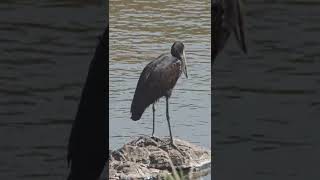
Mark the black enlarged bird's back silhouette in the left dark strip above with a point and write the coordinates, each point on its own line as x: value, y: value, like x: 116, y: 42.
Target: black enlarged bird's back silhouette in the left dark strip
x: 87, y: 147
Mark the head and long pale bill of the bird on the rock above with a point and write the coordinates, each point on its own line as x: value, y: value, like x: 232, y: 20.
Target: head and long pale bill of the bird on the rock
x: 177, y: 50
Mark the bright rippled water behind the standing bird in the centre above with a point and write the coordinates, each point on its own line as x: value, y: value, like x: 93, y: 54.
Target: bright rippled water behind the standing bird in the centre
x: 141, y: 31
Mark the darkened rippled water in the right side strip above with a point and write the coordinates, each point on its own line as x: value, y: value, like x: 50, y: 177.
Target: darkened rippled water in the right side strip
x: 266, y: 104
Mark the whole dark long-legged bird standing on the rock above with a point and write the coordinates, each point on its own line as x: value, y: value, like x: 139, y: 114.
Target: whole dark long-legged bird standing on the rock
x: 157, y: 80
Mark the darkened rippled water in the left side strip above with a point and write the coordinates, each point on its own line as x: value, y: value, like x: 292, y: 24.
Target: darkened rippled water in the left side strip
x: 46, y: 47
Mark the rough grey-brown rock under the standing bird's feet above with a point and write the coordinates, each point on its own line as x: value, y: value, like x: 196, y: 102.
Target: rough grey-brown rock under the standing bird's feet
x: 151, y: 158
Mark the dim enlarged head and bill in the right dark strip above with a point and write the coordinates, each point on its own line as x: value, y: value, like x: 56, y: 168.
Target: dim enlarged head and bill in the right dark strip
x: 227, y: 18
